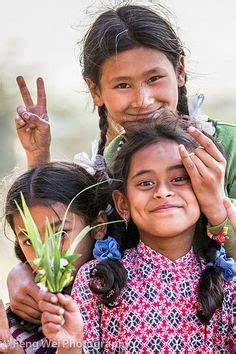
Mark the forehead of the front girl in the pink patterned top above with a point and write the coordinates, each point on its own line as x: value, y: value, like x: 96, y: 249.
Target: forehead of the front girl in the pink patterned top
x: 157, y: 156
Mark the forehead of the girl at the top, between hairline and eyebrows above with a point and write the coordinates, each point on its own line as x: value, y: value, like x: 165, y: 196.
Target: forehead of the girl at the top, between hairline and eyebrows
x: 124, y: 62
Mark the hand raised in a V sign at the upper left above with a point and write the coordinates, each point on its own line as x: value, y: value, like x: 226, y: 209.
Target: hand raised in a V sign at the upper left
x: 32, y: 124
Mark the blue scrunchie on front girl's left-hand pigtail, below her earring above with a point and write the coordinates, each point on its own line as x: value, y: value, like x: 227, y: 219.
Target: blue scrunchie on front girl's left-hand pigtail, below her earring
x: 107, y: 249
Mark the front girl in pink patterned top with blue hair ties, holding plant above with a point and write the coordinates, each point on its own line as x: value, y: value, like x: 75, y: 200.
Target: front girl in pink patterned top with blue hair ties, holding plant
x: 157, y: 290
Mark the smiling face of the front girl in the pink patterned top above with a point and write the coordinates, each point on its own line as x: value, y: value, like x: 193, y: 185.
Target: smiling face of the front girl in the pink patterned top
x: 159, y: 195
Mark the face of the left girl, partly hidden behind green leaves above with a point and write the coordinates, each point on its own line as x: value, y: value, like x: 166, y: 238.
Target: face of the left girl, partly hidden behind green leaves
x: 73, y: 225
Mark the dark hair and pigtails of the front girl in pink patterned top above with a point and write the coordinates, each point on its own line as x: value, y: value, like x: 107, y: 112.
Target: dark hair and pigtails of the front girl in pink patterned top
x: 210, y: 287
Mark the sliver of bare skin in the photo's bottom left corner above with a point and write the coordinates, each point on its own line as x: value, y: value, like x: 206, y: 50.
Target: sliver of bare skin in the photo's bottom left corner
x: 7, y: 343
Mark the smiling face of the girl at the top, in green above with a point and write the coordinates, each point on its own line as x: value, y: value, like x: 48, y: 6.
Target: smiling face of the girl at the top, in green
x: 136, y: 83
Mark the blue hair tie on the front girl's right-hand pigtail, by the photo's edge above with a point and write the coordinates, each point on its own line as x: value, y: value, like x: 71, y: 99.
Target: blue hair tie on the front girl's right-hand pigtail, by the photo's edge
x: 224, y: 263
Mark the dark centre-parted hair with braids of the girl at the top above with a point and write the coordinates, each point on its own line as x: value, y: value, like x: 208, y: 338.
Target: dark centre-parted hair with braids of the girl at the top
x: 121, y: 29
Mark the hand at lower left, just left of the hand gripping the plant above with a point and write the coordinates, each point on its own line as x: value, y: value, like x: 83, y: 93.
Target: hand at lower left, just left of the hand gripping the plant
x: 24, y: 294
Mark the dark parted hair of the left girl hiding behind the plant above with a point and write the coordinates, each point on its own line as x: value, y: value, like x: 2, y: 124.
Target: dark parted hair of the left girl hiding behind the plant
x: 55, y: 182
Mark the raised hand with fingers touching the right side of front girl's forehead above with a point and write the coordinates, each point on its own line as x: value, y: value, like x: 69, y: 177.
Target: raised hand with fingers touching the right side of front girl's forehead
x: 206, y: 168
